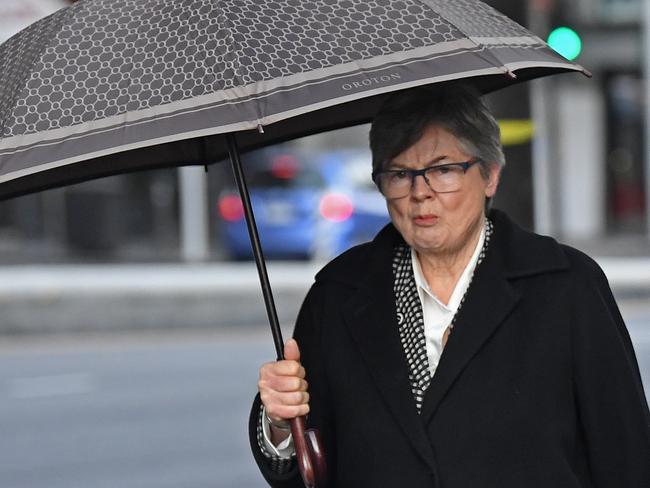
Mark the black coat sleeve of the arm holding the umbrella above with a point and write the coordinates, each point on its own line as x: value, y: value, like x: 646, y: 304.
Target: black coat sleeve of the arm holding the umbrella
x: 308, y: 334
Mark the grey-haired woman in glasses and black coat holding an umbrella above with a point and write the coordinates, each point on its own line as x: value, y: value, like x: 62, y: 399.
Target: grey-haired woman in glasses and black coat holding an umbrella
x: 456, y: 350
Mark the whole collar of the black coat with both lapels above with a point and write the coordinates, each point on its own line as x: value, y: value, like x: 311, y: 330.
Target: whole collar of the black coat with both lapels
x: 370, y: 315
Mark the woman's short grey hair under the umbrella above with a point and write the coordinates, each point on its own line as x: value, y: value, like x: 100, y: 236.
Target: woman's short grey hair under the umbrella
x: 403, y: 117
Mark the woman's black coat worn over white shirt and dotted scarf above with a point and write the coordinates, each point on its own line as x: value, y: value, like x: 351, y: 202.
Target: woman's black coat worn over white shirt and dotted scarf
x: 538, y: 386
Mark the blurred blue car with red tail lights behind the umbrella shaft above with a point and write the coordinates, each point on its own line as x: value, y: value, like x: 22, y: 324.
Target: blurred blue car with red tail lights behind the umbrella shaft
x: 308, y: 205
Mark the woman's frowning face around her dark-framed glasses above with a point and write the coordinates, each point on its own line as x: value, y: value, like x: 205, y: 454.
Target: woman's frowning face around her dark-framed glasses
x: 440, y: 223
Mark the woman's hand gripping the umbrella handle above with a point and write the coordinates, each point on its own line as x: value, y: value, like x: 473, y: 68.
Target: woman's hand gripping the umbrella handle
x: 283, y: 390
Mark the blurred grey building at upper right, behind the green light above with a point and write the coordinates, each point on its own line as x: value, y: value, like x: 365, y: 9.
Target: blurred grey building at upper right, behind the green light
x: 596, y: 177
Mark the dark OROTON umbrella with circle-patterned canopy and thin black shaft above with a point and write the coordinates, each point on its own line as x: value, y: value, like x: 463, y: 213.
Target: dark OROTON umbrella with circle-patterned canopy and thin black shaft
x: 110, y: 86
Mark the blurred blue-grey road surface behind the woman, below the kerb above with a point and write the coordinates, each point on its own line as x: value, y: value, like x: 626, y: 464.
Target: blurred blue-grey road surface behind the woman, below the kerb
x: 146, y: 410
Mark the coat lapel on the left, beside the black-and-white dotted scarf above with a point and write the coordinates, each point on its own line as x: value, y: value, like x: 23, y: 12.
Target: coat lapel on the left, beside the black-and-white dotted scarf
x: 371, y: 320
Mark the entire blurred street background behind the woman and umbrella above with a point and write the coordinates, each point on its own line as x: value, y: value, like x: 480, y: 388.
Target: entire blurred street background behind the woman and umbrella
x: 132, y: 324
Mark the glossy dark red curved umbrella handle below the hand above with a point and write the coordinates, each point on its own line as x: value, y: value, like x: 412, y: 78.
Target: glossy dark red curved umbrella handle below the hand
x: 309, y: 454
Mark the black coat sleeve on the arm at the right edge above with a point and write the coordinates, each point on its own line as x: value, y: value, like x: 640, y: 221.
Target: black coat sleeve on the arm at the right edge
x: 612, y: 407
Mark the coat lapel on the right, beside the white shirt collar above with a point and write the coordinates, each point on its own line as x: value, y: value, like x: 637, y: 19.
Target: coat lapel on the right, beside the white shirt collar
x: 489, y: 300
